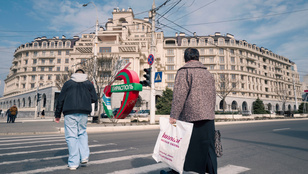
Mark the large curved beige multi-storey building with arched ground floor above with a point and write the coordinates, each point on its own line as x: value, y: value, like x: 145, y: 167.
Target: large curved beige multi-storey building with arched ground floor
x: 242, y: 70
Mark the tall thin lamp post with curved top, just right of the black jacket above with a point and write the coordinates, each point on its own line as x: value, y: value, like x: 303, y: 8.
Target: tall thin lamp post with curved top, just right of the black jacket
x: 95, y: 50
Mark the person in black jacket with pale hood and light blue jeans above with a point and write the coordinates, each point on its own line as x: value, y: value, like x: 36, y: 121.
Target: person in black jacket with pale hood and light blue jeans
x: 75, y: 101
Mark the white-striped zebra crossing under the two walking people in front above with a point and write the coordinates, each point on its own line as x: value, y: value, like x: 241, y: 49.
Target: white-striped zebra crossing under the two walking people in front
x: 48, y: 154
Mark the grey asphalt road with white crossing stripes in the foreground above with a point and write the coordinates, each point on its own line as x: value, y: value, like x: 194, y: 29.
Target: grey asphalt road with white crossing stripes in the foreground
x: 265, y: 147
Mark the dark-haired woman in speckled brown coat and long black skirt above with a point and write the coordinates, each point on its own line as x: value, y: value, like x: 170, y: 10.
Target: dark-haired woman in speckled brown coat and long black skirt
x: 194, y: 98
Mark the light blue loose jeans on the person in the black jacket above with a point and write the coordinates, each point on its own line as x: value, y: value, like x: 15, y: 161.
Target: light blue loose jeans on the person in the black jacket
x: 76, y: 137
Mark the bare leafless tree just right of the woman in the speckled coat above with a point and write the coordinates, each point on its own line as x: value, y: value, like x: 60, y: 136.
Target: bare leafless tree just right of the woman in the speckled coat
x: 225, y: 85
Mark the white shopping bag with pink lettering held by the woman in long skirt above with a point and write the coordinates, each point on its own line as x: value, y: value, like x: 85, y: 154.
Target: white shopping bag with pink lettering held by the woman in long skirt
x: 172, y: 143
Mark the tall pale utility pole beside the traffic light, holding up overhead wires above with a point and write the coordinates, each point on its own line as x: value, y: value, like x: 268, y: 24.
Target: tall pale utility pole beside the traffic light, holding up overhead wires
x: 152, y: 108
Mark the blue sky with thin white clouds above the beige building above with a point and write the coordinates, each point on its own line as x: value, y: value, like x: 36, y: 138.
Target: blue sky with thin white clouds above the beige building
x: 278, y: 25
